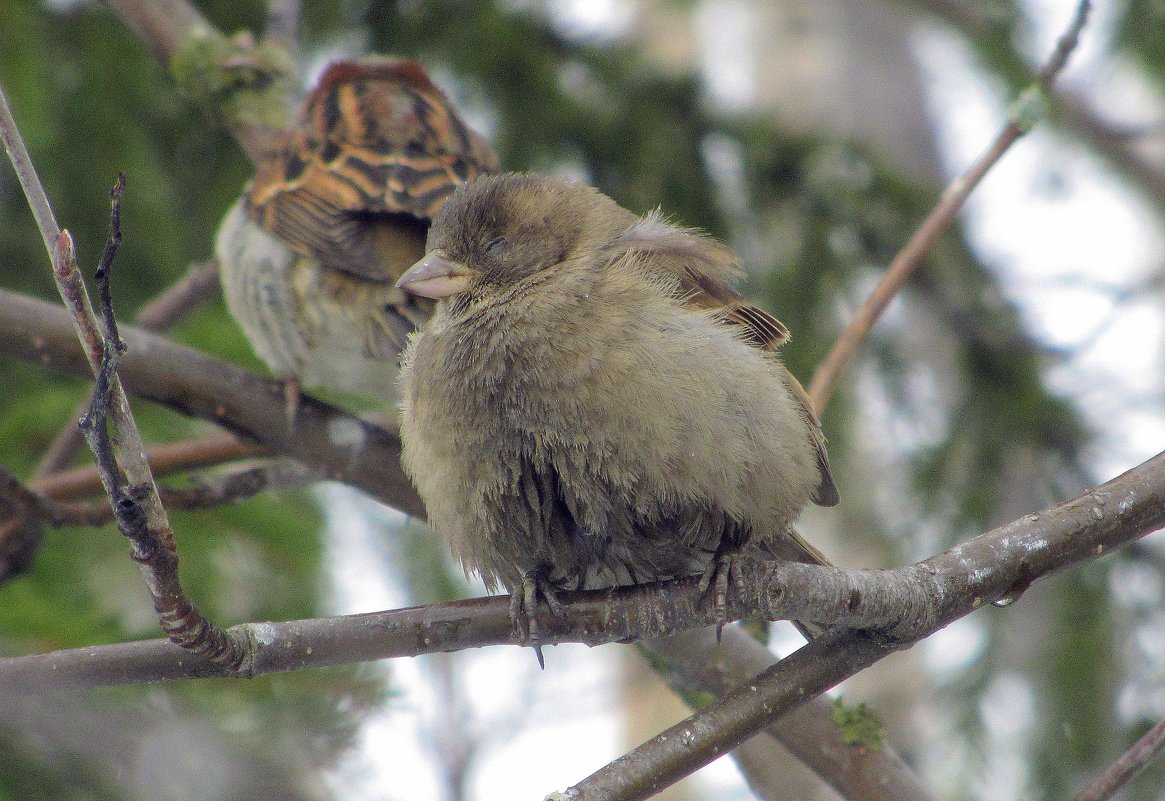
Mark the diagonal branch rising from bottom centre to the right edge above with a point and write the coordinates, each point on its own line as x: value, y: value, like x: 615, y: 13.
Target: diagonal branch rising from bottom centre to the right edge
x: 995, y: 566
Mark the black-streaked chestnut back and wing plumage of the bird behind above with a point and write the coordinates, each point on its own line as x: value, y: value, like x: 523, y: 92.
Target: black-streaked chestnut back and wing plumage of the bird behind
x: 377, y: 139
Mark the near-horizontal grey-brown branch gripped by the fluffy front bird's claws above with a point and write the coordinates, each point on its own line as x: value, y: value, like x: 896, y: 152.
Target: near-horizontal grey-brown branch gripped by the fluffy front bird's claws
x: 995, y: 566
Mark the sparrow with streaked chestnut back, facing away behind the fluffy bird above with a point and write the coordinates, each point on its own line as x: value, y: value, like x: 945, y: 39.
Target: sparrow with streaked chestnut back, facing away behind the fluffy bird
x: 310, y: 256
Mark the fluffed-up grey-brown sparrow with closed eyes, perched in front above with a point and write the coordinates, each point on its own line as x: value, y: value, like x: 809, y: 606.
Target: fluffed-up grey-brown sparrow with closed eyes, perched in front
x: 592, y: 405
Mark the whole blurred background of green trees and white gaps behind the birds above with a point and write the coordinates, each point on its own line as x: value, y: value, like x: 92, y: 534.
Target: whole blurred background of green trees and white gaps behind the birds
x: 1022, y: 365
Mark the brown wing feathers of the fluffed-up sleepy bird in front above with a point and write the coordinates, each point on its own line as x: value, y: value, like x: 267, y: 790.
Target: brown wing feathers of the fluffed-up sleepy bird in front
x: 703, y: 267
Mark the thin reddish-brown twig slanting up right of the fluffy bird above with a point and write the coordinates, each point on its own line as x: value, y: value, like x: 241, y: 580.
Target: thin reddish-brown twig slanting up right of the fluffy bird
x: 920, y: 246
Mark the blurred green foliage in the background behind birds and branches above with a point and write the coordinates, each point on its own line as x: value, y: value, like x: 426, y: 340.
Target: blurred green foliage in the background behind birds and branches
x: 824, y: 215
